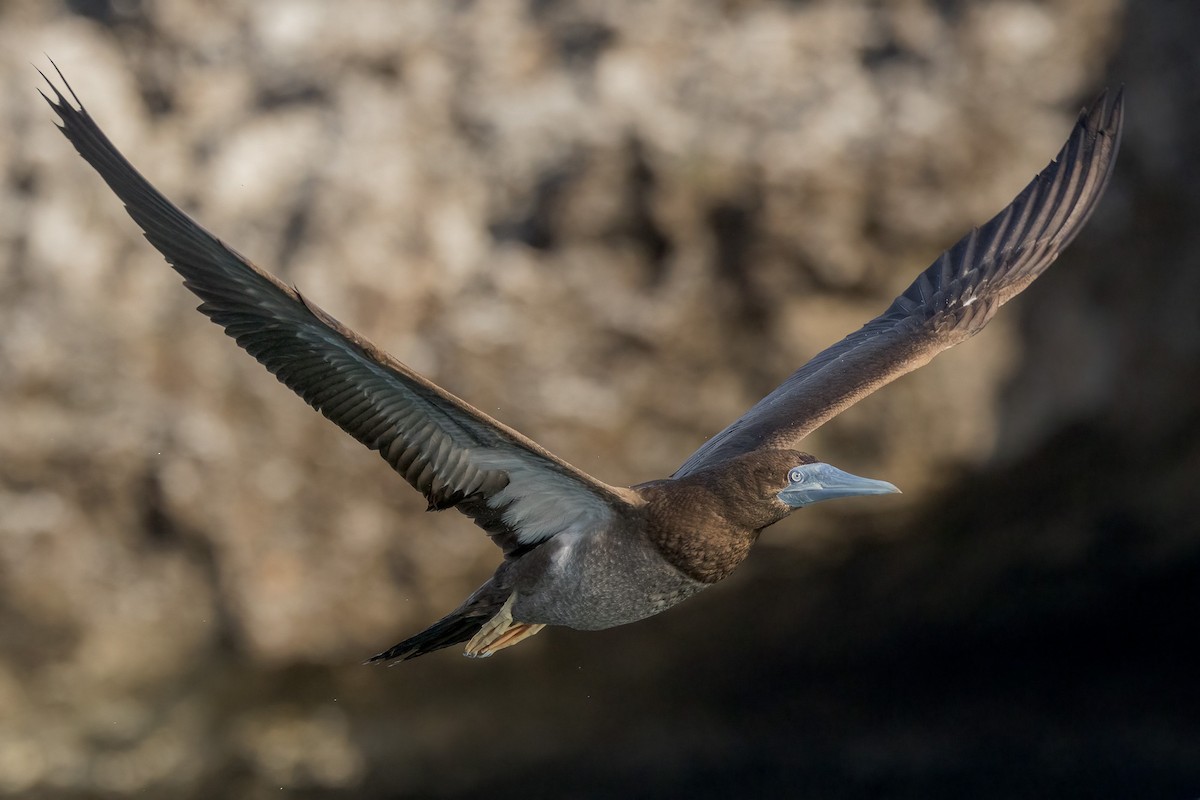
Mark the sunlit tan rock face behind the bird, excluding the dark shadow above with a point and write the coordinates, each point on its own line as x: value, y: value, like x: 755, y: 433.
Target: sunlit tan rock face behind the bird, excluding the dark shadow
x: 611, y: 226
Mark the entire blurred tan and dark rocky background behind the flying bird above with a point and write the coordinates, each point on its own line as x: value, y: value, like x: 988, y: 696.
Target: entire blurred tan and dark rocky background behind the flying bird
x: 613, y: 226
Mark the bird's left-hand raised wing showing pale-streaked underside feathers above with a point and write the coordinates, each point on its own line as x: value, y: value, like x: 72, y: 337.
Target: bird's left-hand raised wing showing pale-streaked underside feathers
x: 452, y: 453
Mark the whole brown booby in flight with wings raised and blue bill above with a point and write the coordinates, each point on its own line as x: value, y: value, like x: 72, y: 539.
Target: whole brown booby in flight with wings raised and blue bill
x: 579, y: 552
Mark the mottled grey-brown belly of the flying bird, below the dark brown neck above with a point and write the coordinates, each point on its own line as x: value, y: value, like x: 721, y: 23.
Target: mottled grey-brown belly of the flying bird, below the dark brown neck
x: 589, y: 584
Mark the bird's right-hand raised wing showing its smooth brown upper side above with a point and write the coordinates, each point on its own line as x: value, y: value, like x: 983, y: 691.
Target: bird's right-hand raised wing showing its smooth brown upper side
x: 947, y: 304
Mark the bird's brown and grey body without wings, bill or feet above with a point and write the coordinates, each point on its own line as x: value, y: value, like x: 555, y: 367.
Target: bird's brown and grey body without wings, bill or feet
x: 675, y: 539
